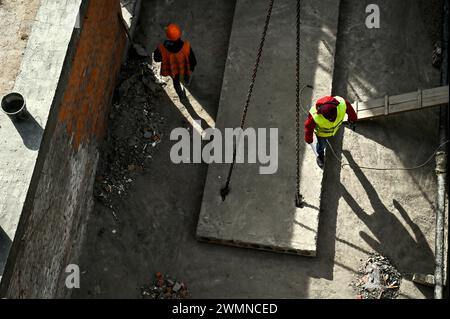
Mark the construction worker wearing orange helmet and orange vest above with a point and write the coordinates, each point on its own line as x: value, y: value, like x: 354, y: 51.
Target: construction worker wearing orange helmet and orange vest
x: 177, y: 58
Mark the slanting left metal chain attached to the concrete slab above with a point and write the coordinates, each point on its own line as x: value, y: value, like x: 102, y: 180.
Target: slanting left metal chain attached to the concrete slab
x: 224, y: 191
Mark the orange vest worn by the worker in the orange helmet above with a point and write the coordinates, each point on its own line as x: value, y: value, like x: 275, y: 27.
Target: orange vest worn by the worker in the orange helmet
x: 173, y: 64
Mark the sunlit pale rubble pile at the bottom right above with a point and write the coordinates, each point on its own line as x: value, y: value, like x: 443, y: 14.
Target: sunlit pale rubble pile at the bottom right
x: 377, y: 279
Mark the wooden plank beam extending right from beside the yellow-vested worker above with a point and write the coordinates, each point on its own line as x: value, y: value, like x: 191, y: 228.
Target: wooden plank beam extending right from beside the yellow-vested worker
x: 403, y: 102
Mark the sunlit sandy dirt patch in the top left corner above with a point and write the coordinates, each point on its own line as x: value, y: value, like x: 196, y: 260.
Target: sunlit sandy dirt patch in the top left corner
x: 16, y: 20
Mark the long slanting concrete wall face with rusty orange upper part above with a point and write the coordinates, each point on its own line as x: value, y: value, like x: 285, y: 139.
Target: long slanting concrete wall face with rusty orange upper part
x: 60, y: 196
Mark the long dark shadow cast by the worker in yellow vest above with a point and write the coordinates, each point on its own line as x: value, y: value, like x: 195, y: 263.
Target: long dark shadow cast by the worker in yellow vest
x: 411, y: 254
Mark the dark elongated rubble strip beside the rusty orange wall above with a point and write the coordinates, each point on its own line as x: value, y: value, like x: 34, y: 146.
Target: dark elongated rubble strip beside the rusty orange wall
x: 134, y: 130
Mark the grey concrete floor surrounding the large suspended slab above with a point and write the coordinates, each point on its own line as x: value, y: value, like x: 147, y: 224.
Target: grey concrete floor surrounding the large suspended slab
x: 362, y: 211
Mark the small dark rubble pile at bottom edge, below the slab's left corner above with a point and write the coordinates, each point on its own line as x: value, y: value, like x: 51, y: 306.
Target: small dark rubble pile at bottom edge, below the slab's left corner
x: 164, y: 287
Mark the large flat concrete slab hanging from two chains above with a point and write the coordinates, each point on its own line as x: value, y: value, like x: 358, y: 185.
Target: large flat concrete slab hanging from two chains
x: 260, y: 210
